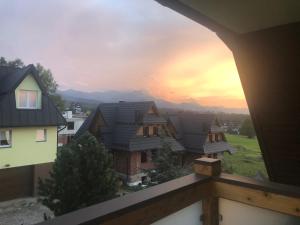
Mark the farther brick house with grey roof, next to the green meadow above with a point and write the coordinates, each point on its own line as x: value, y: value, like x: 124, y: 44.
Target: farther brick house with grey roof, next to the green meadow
x: 200, y: 134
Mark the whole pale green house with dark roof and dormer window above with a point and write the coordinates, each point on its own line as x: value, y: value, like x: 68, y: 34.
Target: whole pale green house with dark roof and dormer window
x: 28, y: 131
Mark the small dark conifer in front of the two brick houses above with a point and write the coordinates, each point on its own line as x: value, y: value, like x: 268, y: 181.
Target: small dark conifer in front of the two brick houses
x: 168, y: 165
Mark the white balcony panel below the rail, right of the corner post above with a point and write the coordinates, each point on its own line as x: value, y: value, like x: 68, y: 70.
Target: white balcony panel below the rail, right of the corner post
x: 235, y: 213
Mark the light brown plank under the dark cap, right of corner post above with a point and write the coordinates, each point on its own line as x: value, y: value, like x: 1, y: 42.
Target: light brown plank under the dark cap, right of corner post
x: 258, y: 198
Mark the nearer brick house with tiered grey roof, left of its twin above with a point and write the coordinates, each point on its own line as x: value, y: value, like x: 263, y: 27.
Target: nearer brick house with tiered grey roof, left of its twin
x: 133, y: 131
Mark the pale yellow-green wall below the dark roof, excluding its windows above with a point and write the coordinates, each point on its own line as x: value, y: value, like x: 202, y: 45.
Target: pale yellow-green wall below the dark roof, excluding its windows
x: 26, y: 151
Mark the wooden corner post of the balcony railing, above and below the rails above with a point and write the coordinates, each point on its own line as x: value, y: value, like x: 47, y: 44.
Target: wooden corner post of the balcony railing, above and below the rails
x: 210, y: 204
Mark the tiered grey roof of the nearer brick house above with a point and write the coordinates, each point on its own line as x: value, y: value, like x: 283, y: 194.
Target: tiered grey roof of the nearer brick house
x: 123, y: 120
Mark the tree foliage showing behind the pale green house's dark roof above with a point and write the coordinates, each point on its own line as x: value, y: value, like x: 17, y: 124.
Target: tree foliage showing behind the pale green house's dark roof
x: 46, y: 78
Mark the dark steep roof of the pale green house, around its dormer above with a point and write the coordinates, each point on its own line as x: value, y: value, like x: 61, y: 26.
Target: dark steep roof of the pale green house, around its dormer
x: 10, y: 116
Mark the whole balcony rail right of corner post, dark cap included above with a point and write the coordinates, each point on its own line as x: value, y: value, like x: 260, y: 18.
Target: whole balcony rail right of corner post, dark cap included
x: 272, y: 196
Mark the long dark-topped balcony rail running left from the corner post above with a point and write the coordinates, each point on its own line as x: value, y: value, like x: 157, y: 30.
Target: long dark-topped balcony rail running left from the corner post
x: 143, y: 207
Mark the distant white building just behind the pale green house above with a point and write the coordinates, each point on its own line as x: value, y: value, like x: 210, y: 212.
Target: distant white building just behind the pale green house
x: 74, y: 121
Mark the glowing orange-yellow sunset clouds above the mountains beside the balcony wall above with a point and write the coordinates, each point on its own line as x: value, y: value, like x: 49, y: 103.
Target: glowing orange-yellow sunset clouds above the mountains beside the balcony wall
x: 207, y: 76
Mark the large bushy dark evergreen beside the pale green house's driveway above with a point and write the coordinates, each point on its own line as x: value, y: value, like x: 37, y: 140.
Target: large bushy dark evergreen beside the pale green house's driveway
x: 82, y: 175
